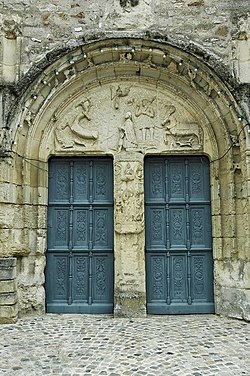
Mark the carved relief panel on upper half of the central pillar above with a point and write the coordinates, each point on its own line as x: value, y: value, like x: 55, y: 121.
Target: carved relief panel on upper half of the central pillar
x: 129, y: 197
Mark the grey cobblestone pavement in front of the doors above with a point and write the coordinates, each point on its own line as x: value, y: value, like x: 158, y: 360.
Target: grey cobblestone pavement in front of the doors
x: 101, y: 345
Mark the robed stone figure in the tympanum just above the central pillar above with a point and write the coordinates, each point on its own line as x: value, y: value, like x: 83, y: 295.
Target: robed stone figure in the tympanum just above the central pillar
x: 127, y: 139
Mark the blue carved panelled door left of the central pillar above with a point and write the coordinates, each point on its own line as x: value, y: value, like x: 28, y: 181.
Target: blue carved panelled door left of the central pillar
x: 79, y: 271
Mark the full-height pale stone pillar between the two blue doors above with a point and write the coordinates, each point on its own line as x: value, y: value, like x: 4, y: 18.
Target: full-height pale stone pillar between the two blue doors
x: 130, y: 289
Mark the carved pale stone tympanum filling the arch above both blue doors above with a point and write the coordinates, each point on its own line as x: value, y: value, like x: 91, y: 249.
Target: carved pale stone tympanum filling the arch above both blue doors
x: 126, y: 118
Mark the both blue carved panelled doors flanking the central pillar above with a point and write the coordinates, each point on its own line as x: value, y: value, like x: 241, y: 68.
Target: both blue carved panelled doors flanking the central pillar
x: 179, y: 262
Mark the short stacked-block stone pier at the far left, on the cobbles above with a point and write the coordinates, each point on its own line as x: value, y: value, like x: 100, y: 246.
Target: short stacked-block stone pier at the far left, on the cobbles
x: 8, y: 291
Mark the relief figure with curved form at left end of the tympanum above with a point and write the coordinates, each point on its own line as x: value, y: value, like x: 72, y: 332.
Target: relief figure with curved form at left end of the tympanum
x: 71, y: 133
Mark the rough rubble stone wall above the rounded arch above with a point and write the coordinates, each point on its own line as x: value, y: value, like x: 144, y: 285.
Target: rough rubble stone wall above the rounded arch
x: 32, y: 30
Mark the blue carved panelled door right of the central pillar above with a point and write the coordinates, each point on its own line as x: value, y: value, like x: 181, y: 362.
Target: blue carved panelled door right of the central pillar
x: 178, y: 236
